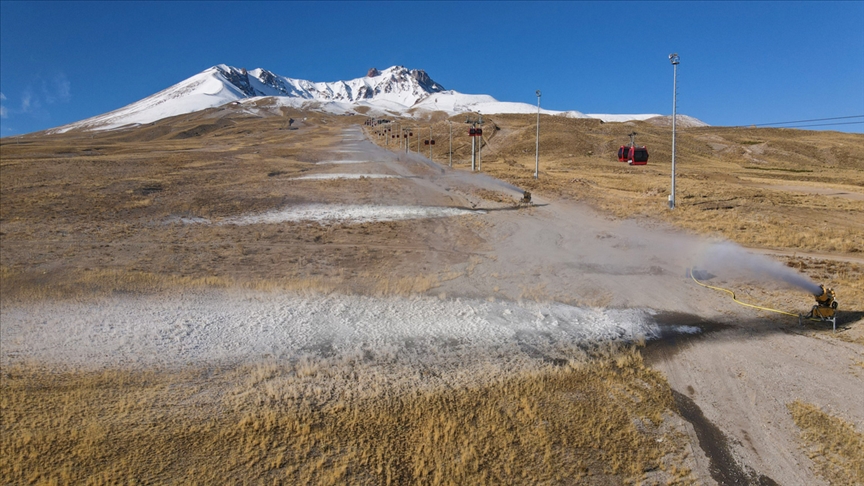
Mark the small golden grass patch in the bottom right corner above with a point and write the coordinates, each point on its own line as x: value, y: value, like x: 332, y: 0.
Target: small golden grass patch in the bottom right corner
x: 832, y: 443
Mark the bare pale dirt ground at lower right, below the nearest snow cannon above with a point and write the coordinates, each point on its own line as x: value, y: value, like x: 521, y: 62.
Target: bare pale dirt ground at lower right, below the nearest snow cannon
x: 743, y: 376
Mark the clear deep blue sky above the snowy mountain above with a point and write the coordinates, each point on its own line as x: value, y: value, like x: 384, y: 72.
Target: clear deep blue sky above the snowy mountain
x: 742, y: 63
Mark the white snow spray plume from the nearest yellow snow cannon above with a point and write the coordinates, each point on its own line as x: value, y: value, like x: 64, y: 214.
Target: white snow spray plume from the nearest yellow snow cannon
x: 728, y: 257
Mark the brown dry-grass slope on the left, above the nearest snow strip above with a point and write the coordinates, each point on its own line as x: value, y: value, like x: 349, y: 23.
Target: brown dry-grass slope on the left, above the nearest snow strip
x: 95, y: 213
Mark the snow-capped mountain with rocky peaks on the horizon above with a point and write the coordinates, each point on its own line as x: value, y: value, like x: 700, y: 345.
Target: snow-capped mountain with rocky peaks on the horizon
x: 393, y: 91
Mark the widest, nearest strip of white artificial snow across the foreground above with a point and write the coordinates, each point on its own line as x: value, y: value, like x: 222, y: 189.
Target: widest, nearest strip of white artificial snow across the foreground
x: 242, y: 326
